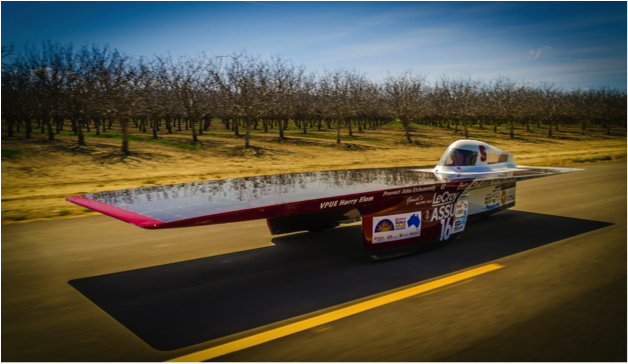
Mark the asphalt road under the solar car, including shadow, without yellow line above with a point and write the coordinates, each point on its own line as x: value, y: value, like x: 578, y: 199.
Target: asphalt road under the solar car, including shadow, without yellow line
x: 96, y: 289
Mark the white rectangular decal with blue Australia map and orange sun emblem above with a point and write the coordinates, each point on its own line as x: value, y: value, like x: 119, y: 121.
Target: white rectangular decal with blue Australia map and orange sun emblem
x: 396, y: 227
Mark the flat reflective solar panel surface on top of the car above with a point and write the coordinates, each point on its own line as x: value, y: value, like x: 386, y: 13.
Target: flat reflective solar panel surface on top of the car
x: 192, y: 200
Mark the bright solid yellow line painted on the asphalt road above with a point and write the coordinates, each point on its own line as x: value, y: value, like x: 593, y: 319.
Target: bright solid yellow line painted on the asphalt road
x: 290, y: 329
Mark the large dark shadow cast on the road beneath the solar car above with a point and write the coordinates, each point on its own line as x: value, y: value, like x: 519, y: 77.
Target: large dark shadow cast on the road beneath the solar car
x: 182, y: 304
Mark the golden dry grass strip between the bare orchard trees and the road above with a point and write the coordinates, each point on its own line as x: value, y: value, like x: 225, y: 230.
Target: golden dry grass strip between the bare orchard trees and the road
x: 37, y: 175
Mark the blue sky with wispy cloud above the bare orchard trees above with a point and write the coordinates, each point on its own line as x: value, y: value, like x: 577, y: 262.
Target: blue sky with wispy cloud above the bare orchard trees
x: 573, y: 44
